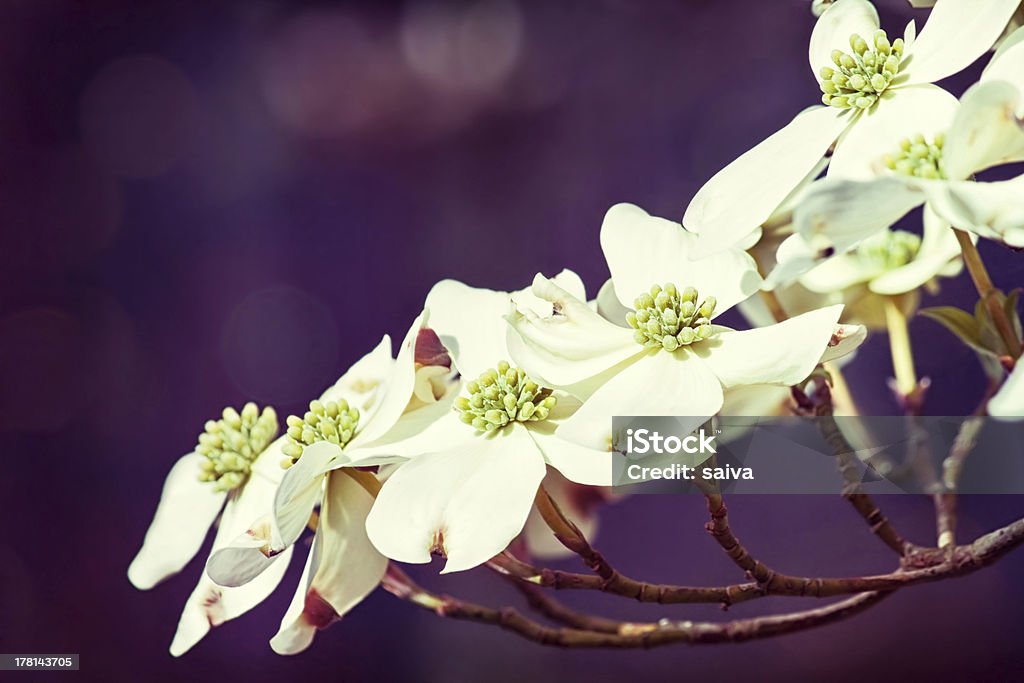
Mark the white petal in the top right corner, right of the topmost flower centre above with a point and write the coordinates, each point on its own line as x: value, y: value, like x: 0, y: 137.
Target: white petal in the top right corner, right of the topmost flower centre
x: 957, y: 33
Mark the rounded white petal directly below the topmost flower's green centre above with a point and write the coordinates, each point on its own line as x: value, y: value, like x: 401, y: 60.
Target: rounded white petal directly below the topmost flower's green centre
x: 861, y: 154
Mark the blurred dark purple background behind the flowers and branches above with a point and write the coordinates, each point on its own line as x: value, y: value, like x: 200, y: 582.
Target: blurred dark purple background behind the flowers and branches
x: 212, y: 202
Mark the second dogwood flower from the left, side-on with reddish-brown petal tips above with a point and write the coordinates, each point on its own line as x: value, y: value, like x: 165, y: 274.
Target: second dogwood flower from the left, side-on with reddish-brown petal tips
x: 377, y: 397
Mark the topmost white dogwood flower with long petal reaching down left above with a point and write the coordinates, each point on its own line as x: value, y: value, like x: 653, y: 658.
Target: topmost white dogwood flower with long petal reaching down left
x: 862, y: 74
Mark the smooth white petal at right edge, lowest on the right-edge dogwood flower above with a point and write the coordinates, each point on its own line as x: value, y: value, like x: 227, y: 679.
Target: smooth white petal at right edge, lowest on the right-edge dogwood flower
x: 992, y: 210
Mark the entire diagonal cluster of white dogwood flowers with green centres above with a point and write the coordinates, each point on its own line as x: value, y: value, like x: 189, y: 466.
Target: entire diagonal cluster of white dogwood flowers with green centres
x: 408, y: 456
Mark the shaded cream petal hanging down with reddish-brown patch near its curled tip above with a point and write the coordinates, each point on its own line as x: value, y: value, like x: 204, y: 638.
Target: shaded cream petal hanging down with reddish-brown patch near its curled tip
x: 348, y: 571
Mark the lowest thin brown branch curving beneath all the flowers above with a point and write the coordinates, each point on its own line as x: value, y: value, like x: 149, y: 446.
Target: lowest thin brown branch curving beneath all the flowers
x: 627, y: 634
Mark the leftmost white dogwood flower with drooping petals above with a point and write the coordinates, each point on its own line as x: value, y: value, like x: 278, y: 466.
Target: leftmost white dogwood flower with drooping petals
x: 234, y: 474
